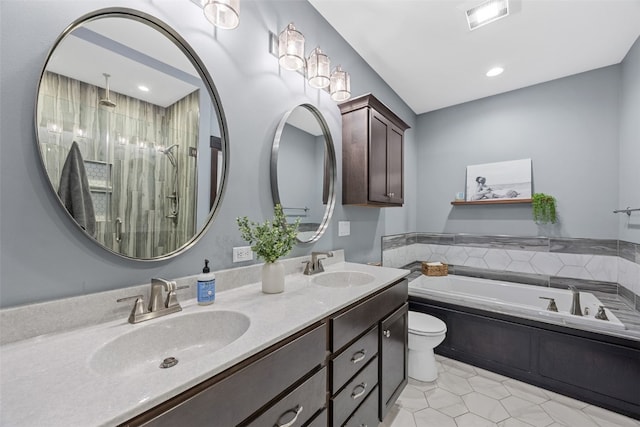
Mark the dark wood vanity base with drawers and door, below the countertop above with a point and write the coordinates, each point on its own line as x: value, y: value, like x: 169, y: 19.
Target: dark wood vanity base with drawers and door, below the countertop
x: 346, y: 370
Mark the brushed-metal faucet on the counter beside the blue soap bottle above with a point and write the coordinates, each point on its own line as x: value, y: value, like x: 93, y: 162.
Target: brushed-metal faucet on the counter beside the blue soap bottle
x: 158, y: 306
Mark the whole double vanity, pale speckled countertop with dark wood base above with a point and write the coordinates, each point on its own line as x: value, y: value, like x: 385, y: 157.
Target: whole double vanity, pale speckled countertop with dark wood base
x: 330, y: 350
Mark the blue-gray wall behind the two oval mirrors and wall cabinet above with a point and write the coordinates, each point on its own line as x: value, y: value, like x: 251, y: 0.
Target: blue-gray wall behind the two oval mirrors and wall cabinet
x: 42, y: 254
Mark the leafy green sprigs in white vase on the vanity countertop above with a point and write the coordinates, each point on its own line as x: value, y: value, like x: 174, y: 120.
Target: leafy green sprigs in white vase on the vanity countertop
x: 270, y: 240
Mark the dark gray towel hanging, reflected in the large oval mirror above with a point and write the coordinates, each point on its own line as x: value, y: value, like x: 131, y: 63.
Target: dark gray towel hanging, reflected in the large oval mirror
x: 74, y: 190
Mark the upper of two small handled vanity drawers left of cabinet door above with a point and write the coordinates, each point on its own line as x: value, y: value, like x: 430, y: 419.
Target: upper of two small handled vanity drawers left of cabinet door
x: 352, y: 359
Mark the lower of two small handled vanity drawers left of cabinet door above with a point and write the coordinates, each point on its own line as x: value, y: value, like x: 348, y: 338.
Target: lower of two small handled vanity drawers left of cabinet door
x: 343, y: 405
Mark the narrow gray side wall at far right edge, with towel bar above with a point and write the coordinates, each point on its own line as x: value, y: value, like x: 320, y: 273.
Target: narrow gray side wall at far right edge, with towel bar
x: 630, y: 145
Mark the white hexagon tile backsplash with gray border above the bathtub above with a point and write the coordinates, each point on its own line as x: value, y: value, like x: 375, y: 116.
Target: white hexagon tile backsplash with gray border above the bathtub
x: 605, y: 265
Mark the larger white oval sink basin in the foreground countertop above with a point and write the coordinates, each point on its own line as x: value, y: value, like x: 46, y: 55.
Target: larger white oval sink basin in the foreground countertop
x: 185, y: 337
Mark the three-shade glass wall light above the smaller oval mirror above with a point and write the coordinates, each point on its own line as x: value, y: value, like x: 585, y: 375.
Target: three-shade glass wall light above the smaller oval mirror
x: 288, y: 46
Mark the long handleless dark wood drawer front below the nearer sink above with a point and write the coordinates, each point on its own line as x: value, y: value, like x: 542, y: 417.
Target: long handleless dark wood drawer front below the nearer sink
x: 249, y: 388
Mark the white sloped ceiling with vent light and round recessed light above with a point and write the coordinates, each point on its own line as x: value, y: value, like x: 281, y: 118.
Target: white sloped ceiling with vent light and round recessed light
x: 424, y: 50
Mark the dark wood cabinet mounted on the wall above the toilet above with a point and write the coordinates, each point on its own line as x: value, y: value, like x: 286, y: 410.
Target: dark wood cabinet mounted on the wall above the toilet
x: 372, y: 153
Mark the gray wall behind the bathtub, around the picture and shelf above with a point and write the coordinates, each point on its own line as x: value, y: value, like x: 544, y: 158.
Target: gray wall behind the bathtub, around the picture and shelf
x: 568, y: 127
